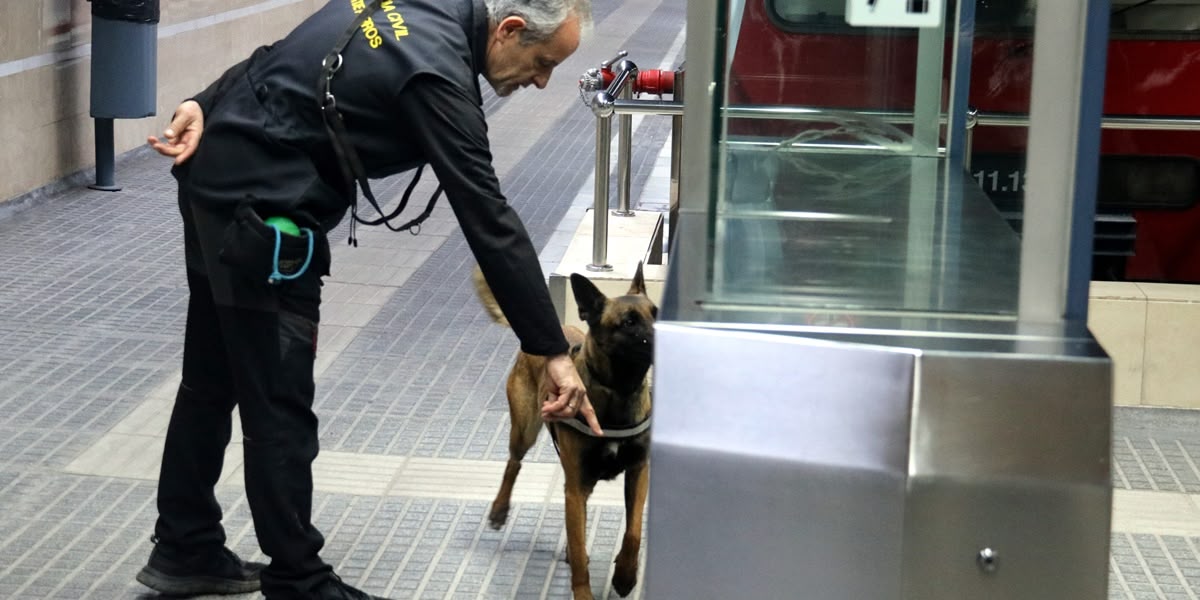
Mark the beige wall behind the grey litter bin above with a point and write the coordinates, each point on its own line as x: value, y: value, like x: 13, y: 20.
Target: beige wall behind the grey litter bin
x: 45, y: 63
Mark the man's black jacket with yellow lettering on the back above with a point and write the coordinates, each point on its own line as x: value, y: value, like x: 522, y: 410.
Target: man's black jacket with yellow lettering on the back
x: 409, y: 92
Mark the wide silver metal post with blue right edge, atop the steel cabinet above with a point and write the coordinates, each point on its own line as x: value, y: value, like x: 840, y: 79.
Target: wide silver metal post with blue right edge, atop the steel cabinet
x: 1066, y: 111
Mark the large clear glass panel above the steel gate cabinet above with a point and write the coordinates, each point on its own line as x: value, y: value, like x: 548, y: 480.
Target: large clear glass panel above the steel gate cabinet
x: 826, y: 205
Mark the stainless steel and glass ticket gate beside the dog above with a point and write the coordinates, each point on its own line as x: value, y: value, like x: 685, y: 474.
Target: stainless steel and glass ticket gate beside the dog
x: 868, y: 386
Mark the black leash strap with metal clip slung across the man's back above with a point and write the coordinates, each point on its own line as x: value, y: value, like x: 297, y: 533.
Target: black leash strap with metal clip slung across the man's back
x: 347, y: 158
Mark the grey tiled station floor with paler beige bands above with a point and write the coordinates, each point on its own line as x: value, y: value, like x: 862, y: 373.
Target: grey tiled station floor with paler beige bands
x: 410, y: 383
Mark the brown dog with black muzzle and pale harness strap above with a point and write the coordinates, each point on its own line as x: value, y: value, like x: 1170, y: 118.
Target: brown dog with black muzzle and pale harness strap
x: 614, y: 361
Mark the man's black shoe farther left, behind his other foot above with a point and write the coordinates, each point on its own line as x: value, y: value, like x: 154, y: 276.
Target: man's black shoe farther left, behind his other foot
x: 212, y: 573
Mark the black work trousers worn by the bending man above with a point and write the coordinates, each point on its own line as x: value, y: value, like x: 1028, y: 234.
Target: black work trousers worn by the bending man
x: 251, y: 345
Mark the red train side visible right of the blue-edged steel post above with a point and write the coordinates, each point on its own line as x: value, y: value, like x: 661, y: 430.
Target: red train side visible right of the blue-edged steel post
x: 1150, y: 176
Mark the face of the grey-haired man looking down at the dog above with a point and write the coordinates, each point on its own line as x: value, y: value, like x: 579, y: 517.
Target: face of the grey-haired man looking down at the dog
x: 513, y: 65
